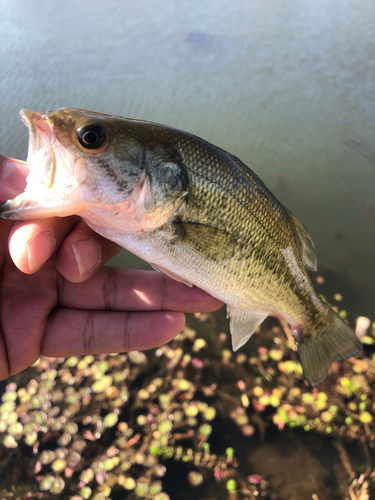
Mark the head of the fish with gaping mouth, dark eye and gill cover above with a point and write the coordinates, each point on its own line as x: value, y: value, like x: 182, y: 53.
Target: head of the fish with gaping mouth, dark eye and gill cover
x: 100, y: 167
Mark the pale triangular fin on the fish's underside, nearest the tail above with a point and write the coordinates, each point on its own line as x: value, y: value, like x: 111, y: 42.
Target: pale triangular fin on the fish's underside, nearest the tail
x: 243, y: 324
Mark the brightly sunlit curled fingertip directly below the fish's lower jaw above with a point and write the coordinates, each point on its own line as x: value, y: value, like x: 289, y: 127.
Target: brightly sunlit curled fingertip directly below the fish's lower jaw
x: 32, y: 243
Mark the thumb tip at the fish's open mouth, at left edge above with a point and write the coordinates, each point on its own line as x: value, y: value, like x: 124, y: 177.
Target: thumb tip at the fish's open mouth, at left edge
x: 13, y: 175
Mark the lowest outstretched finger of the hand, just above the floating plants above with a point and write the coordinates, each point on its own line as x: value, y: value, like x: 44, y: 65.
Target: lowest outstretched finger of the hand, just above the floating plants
x: 75, y: 332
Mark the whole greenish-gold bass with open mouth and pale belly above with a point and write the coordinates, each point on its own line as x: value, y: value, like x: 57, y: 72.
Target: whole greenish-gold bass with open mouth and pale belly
x: 191, y: 210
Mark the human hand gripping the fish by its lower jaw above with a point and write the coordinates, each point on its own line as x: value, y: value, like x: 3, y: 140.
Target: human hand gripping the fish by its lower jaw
x: 57, y: 299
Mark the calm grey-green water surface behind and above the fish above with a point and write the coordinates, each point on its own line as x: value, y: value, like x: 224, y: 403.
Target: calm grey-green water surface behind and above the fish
x: 286, y: 85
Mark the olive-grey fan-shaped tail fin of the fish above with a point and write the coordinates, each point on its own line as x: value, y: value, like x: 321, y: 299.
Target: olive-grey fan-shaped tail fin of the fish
x: 333, y: 342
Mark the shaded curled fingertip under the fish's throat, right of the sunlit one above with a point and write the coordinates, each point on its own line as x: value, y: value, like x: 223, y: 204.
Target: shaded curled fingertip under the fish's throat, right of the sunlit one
x: 83, y: 253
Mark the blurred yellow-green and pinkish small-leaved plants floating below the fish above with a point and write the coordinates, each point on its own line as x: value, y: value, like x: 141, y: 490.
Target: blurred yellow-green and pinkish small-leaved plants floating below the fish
x: 108, y: 425
